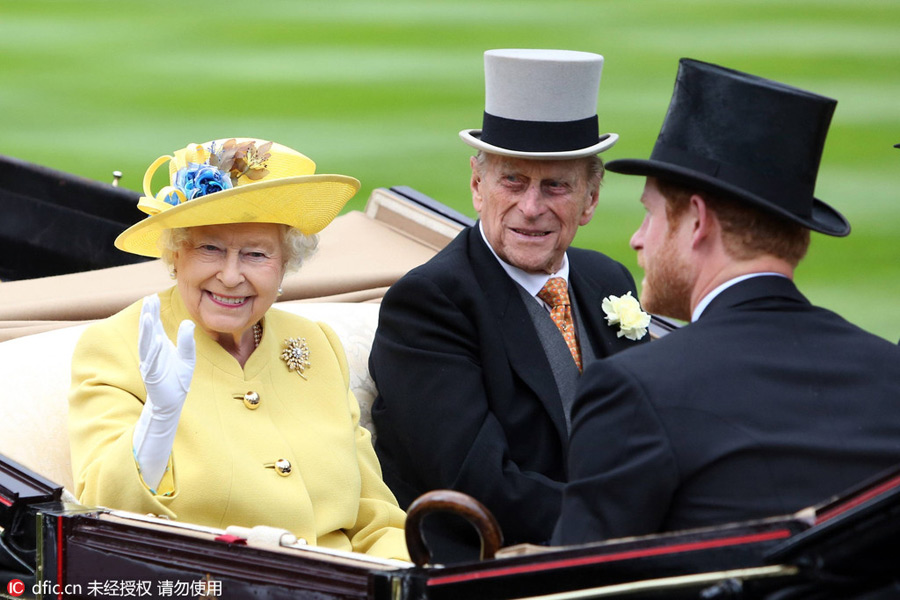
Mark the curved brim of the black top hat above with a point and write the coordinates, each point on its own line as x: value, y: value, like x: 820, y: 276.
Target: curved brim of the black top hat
x: 824, y: 219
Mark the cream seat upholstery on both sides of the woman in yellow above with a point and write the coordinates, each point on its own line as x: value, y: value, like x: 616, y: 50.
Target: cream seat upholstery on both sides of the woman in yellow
x: 35, y: 373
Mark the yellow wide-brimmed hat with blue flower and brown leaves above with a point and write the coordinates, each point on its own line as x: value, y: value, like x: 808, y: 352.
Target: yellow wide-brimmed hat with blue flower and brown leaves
x: 237, y: 180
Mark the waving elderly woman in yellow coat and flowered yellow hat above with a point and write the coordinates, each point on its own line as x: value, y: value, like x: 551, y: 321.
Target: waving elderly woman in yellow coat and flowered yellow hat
x: 205, y: 404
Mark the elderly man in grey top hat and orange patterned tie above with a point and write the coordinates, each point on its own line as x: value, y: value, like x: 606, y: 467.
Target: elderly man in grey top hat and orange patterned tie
x: 474, y: 376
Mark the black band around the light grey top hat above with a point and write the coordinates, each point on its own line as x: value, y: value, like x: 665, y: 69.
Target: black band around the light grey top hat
x: 539, y: 136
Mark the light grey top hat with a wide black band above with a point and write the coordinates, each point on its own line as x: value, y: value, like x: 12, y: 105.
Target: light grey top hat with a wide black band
x: 540, y: 104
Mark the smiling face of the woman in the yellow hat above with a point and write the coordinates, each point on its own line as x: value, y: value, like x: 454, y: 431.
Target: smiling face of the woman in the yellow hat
x: 228, y: 276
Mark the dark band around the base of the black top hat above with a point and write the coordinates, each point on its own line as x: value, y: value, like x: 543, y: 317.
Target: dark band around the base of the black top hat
x: 790, y: 194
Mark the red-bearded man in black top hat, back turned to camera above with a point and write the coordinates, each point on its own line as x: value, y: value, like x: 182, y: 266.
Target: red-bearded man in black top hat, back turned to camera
x: 763, y: 404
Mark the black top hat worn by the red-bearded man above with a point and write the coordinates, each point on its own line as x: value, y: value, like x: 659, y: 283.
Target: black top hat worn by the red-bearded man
x: 744, y: 137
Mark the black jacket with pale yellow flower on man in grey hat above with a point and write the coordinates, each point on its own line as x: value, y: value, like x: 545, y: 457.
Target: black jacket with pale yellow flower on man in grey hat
x: 467, y: 398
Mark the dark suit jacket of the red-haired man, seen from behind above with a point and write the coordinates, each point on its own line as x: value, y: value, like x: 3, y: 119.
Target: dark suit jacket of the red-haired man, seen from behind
x: 765, y: 405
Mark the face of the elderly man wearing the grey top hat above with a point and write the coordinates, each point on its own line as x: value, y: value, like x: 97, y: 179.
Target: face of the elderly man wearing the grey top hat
x: 531, y: 209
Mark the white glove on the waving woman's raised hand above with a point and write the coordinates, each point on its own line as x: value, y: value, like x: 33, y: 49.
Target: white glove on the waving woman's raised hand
x: 167, y: 372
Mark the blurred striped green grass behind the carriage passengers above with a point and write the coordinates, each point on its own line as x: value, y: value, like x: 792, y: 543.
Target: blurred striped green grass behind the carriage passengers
x: 379, y: 90
